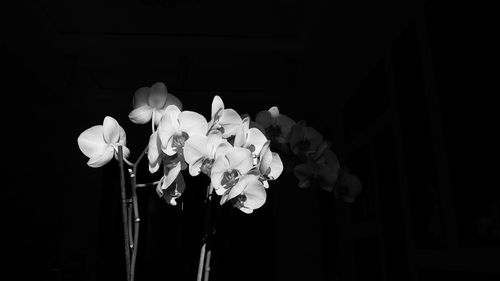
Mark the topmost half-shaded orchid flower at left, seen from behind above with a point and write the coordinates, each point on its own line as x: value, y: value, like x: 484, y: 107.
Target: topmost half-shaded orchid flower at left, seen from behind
x: 150, y: 103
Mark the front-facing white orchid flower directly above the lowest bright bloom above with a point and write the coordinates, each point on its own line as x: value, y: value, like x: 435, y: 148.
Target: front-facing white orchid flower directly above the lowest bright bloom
x: 229, y: 167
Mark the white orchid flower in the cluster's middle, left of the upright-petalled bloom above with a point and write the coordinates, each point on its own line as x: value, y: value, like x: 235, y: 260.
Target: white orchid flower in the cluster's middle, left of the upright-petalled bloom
x: 201, y: 151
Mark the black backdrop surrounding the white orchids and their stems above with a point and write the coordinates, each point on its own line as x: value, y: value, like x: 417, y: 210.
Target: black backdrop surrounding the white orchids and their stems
x: 401, y: 90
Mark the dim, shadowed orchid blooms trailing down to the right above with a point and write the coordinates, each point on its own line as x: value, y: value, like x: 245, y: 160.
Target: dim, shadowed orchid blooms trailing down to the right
x: 314, y: 162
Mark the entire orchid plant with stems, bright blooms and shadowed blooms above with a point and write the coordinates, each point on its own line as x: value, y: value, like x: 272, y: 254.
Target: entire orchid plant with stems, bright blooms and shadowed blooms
x: 238, y: 155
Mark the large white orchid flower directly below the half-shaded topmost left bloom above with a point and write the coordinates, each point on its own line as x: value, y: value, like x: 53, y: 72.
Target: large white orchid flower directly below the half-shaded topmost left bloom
x: 177, y: 127
